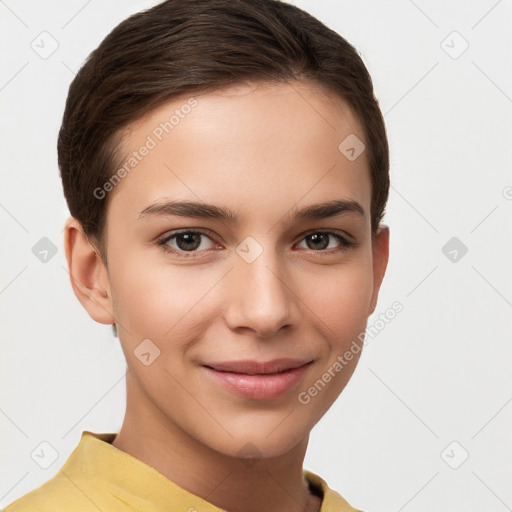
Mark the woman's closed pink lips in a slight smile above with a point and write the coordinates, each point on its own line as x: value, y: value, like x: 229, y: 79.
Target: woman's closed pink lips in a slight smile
x: 259, y: 381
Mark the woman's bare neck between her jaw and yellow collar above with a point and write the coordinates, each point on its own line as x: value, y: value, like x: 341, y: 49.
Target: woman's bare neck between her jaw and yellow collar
x: 273, y: 484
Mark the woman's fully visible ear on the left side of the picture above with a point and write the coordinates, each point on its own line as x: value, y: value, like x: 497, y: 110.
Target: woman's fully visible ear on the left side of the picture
x: 88, y: 274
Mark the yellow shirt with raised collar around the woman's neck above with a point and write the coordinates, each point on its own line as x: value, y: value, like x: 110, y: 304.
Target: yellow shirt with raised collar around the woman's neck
x: 99, y: 477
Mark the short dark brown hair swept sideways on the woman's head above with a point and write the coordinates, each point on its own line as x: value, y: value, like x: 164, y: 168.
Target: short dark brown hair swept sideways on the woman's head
x: 187, y: 46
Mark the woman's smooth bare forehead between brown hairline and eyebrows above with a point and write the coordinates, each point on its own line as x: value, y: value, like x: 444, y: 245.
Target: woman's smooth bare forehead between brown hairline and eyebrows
x: 256, y: 146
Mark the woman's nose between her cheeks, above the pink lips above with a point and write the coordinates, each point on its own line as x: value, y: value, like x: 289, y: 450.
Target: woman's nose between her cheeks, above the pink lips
x: 261, y: 297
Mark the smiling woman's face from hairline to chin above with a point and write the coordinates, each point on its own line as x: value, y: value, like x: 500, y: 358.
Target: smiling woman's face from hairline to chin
x: 212, y: 300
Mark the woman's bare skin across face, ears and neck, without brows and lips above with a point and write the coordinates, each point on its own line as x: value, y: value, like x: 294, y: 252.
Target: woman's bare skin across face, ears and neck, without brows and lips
x: 262, y: 150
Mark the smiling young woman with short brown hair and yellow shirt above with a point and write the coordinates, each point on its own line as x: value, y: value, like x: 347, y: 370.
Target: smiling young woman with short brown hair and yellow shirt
x: 225, y: 164
